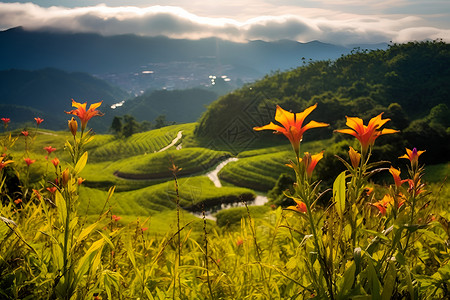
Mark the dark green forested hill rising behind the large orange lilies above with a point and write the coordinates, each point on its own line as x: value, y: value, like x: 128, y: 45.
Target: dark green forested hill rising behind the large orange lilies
x: 409, y: 82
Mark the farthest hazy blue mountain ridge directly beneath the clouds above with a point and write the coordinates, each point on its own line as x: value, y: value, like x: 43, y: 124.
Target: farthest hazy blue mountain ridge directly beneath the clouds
x: 97, y: 54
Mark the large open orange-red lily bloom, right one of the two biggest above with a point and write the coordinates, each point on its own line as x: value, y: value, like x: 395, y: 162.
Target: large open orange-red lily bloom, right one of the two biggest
x: 366, y: 134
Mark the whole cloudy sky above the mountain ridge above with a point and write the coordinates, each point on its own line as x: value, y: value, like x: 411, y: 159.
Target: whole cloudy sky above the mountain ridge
x: 340, y: 22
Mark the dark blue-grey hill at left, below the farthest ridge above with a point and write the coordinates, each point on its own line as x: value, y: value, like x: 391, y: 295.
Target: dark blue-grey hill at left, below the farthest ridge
x: 47, y: 94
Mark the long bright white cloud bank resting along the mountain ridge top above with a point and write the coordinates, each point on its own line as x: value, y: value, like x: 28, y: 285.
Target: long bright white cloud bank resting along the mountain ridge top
x: 175, y: 22
